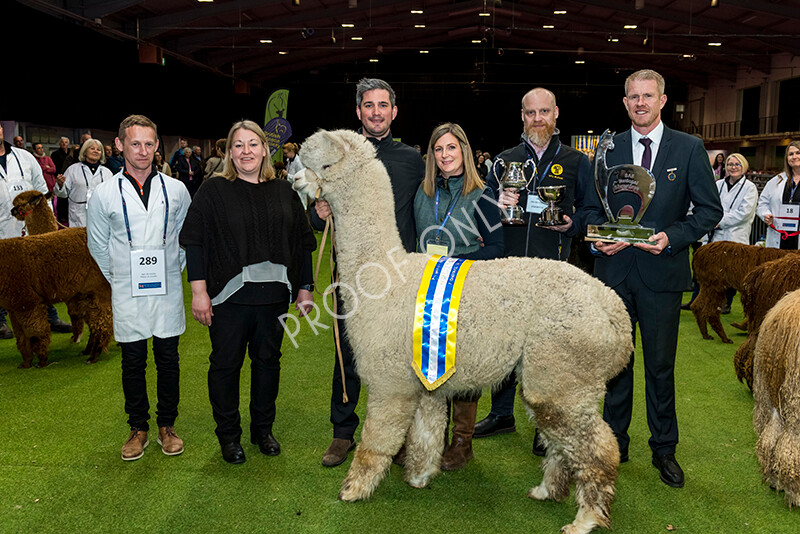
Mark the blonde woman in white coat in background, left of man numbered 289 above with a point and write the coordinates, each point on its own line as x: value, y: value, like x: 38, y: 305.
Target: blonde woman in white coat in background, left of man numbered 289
x: 79, y: 180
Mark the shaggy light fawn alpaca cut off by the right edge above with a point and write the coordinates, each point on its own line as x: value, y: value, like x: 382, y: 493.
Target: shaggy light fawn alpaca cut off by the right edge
x: 776, y: 390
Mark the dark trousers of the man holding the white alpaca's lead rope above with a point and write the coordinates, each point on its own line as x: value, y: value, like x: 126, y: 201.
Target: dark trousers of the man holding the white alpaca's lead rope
x: 343, y: 416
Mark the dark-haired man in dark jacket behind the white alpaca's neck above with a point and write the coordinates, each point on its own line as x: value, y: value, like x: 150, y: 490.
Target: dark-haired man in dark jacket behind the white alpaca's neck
x: 375, y: 107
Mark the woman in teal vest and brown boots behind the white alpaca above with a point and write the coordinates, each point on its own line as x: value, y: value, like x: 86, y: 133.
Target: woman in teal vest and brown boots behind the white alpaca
x: 456, y: 215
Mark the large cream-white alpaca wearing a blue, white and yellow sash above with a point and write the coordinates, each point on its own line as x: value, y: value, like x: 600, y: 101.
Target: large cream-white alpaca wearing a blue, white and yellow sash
x: 564, y: 333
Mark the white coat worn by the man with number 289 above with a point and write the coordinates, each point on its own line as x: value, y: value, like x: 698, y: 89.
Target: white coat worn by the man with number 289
x: 137, y: 318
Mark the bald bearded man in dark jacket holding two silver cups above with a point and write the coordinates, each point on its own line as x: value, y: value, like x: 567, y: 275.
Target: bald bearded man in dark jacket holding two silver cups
x: 551, y: 163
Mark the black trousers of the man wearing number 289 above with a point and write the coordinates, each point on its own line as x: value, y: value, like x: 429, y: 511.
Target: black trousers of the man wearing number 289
x: 134, y: 383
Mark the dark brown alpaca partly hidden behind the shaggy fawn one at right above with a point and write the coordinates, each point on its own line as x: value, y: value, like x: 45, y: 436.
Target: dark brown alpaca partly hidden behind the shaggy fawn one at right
x: 763, y: 288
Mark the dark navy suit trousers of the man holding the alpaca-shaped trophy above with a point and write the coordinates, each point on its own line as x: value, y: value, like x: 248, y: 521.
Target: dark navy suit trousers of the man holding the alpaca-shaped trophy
x: 658, y: 316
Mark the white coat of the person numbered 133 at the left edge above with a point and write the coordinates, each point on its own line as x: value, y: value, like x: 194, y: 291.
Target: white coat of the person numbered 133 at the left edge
x: 10, y: 178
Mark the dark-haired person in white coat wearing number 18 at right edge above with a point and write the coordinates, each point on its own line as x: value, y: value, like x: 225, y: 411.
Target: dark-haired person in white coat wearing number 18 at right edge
x: 778, y: 197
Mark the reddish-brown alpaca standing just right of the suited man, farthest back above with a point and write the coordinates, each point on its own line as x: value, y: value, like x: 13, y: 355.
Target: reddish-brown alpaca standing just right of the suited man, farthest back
x: 718, y: 266
